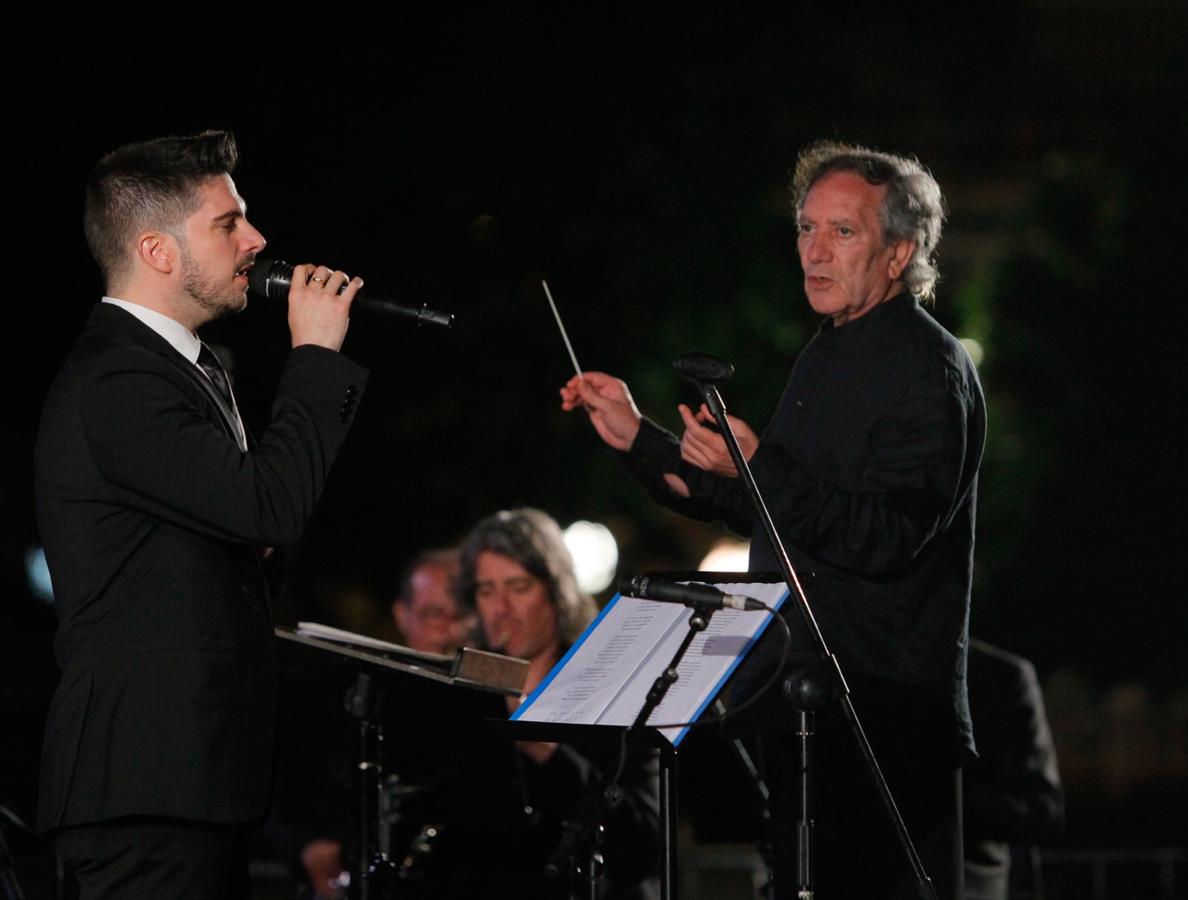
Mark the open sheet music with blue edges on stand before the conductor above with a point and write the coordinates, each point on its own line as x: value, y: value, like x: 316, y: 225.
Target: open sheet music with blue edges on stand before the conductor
x: 606, y: 676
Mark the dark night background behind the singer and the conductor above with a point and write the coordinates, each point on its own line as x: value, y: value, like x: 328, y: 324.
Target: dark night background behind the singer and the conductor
x: 639, y: 159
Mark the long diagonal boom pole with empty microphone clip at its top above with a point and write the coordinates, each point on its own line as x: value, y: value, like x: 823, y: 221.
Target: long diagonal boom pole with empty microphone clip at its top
x: 833, y: 671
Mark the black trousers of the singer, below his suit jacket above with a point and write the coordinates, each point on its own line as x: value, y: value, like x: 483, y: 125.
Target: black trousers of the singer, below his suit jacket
x: 153, y: 859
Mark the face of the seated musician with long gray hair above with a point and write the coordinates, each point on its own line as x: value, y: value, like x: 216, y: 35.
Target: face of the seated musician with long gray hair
x: 519, y: 617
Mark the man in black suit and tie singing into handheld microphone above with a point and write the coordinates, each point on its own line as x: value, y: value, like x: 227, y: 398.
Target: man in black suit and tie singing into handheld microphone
x: 156, y: 512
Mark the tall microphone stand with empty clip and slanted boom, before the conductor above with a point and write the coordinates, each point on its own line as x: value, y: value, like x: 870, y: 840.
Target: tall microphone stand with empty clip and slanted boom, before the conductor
x: 831, y: 669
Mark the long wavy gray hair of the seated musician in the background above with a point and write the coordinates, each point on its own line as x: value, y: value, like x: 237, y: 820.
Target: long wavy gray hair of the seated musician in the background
x: 532, y: 538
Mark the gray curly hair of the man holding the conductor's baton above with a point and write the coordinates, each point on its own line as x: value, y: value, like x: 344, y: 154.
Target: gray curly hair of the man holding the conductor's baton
x: 913, y: 208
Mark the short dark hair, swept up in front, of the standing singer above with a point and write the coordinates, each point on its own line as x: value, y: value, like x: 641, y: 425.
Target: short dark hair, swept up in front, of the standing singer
x: 151, y: 185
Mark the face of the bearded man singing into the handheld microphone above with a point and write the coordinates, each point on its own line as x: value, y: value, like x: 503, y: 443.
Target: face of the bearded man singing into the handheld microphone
x: 218, y: 248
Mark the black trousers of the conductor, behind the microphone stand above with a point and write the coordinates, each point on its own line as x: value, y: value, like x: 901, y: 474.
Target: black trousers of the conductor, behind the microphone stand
x: 856, y: 853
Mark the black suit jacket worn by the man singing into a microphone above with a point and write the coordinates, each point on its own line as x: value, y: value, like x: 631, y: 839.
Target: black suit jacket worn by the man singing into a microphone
x: 153, y: 523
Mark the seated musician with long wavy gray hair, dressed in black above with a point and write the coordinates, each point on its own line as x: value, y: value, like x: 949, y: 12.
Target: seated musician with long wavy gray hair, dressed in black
x: 476, y: 814
